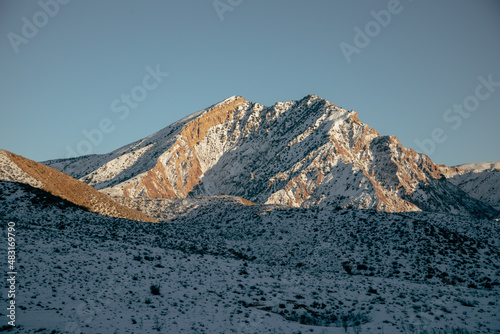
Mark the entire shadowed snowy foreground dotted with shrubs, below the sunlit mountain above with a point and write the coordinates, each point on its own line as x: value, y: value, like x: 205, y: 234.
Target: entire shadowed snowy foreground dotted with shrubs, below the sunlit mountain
x: 236, y: 268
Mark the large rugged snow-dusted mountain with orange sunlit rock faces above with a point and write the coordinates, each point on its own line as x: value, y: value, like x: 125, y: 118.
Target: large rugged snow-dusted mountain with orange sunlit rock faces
x: 302, y: 153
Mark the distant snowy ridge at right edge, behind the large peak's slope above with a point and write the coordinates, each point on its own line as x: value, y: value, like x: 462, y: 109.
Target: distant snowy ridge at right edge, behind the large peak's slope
x: 481, y: 181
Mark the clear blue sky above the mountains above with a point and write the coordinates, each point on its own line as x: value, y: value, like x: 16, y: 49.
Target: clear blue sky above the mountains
x: 65, y: 77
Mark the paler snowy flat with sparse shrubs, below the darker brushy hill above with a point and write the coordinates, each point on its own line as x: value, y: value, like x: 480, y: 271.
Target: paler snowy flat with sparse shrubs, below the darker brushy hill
x: 82, y: 284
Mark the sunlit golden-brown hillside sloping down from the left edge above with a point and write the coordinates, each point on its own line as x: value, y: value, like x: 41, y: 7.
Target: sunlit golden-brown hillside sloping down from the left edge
x: 17, y: 171
